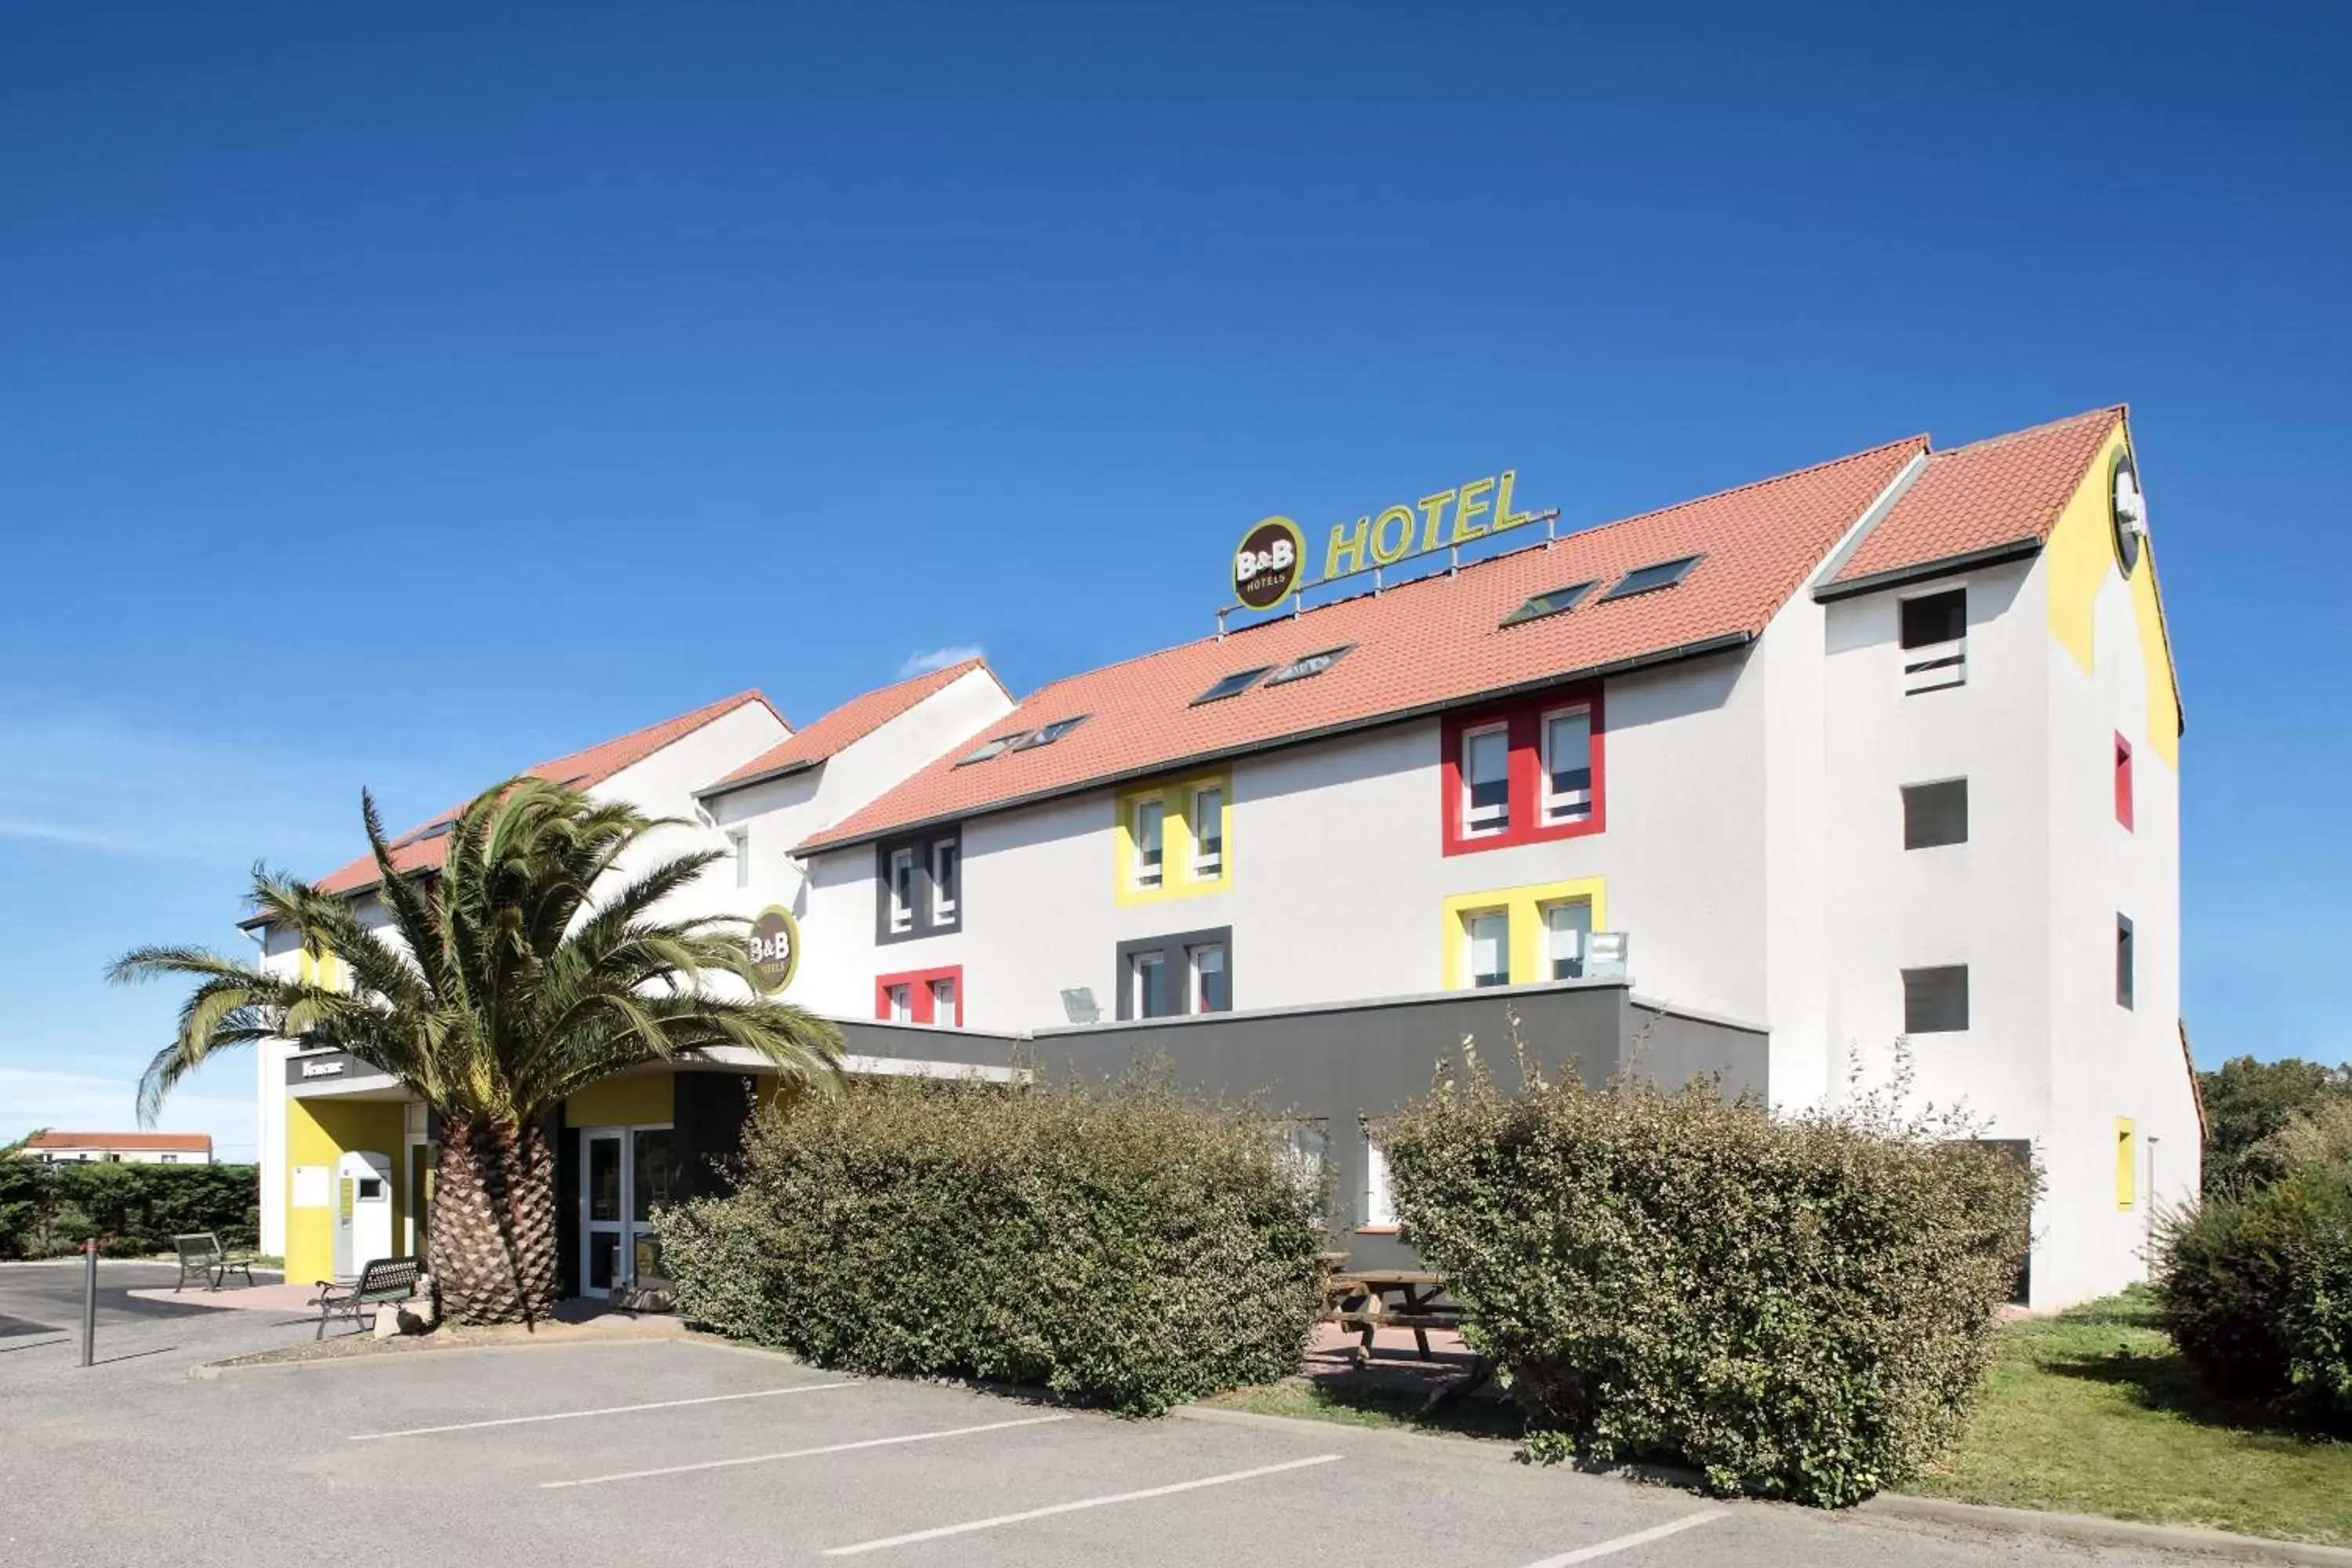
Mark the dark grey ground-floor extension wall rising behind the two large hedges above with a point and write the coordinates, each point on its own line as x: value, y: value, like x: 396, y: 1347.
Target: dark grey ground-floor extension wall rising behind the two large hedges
x: 1342, y: 1068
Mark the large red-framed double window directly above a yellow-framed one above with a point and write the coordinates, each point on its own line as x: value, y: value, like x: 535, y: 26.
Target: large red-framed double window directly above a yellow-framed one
x: 1523, y: 772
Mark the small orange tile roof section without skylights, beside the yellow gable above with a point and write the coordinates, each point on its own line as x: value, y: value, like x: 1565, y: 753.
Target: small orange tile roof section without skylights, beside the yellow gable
x: 2000, y: 492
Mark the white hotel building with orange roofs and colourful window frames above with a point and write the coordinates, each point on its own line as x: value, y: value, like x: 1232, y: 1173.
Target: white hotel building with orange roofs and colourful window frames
x: 1878, y: 756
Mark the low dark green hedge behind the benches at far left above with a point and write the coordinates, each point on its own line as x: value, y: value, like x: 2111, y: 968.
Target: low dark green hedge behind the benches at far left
x: 131, y: 1209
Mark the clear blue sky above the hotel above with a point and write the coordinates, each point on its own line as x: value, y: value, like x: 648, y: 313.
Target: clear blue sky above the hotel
x: 399, y: 398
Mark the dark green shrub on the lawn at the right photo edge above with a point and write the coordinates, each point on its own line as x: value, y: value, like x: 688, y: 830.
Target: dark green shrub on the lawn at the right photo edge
x: 2257, y: 1289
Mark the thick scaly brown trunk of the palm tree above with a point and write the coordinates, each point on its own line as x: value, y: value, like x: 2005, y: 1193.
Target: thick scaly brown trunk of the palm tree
x: 493, y: 1231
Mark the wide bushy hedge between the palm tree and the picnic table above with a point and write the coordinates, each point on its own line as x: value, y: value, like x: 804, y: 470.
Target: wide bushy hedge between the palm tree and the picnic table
x: 1118, y: 1245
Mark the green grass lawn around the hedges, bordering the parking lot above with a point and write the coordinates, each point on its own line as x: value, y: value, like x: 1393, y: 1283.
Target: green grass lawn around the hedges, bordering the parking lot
x: 2087, y: 1414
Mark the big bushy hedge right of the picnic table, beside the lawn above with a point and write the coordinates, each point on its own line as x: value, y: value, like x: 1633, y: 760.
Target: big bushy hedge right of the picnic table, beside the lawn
x: 1798, y: 1308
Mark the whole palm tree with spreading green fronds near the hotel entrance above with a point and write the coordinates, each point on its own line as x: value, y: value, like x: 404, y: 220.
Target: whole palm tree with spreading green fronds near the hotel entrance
x: 528, y: 970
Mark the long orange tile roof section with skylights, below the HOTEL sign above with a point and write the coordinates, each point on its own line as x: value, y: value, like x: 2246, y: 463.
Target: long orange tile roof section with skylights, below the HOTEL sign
x: 1417, y: 648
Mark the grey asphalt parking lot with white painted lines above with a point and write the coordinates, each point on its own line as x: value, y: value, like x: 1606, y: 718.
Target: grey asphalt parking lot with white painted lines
x: 688, y: 1452
